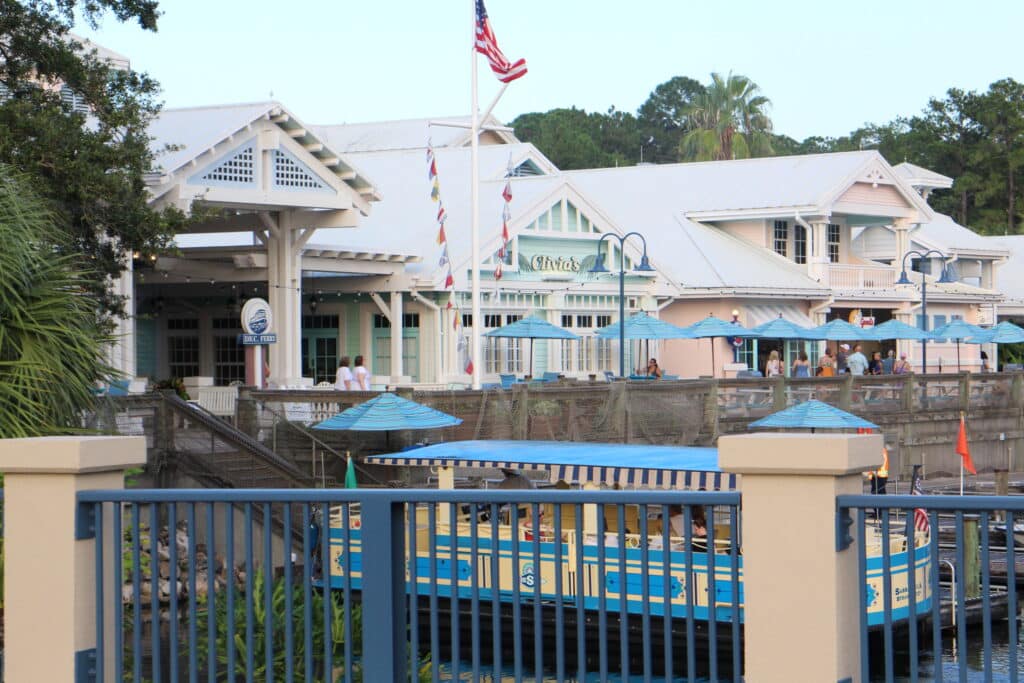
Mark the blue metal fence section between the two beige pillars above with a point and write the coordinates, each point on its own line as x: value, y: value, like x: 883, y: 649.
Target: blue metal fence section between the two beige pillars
x: 348, y: 585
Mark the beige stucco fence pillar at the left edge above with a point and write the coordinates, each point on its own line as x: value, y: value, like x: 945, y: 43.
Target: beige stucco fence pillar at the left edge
x: 51, y: 577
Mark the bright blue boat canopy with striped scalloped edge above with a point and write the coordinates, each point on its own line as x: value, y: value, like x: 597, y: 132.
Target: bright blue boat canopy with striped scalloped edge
x: 630, y: 465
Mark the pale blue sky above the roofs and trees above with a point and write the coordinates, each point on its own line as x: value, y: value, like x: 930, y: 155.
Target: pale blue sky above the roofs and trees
x: 829, y: 67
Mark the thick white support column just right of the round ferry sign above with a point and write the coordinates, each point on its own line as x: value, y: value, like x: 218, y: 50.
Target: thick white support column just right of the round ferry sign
x: 284, y: 274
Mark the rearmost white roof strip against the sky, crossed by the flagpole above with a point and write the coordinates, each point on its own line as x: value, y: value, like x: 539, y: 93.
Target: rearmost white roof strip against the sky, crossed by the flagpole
x: 403, y: 135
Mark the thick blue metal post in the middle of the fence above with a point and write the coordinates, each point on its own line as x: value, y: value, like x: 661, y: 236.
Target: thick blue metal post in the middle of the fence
x: 386, y: 638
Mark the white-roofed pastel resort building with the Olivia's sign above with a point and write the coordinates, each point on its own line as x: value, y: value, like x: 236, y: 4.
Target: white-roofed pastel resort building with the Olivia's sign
x: 336, y: 228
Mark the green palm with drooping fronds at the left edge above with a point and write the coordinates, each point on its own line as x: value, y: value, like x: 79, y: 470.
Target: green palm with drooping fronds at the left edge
x: 52, y: 339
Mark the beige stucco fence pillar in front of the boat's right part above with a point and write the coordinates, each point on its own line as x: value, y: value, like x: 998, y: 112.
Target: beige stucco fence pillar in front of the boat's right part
x: 801, y: 607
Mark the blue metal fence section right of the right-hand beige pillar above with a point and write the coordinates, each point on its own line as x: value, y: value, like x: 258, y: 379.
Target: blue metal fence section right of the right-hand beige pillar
x: 919, y: 648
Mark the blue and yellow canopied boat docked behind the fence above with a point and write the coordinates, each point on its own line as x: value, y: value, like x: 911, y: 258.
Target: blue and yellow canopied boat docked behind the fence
x: 600, y: 561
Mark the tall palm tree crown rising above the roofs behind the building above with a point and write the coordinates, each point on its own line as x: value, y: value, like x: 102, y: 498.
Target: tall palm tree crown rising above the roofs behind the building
x: 728, y: 121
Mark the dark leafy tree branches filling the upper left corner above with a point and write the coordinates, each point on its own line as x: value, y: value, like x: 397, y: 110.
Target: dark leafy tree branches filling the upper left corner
x: 90, y: 173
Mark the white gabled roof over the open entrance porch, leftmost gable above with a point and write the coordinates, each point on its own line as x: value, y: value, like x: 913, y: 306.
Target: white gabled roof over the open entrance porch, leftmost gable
x: 180, y: 136
